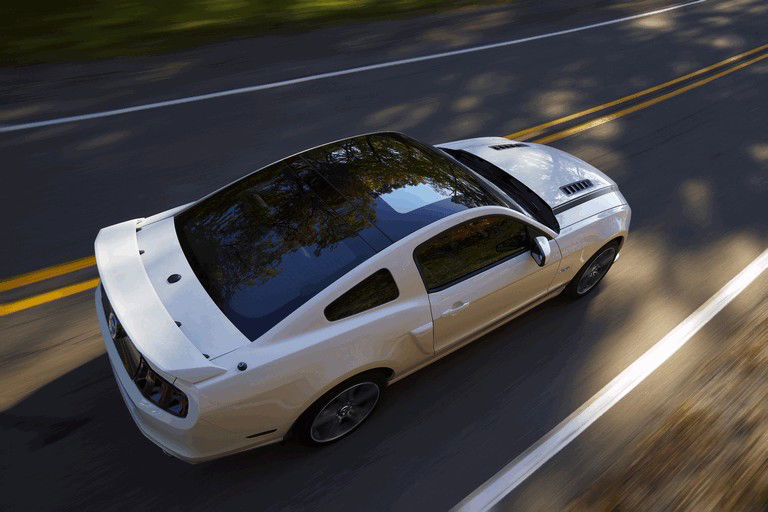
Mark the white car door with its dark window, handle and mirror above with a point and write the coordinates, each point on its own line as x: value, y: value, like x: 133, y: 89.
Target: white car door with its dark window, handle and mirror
x: 479, y: 271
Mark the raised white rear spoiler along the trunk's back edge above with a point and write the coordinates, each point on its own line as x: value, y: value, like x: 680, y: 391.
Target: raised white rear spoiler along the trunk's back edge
x: 141, y: 312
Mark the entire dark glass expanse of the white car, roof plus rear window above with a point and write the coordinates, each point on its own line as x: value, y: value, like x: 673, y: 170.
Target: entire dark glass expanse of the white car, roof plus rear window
x: 269, y: 242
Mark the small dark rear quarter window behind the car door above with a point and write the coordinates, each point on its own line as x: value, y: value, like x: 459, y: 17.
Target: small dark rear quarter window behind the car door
x: 375, y: 290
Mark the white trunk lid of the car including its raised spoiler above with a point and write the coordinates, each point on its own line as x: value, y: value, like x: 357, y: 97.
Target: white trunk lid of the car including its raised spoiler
x: 176, y: 326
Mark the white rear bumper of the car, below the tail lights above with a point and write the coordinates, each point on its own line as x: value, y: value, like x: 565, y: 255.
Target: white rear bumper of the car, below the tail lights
x: 190, y: 439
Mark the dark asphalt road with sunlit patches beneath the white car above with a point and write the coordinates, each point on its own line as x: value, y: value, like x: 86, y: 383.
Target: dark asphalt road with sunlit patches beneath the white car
x: 694, y: 168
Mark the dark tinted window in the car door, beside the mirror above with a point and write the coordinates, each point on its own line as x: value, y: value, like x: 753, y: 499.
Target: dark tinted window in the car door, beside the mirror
x: 468, y: 248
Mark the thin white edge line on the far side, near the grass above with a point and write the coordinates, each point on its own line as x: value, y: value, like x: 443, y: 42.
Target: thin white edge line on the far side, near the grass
x: 331, y: 74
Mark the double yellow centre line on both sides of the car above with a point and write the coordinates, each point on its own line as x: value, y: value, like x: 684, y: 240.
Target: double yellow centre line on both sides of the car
x: 528, y: 133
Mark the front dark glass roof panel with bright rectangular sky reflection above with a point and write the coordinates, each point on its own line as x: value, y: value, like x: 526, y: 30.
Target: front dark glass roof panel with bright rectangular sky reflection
x: 396, y: 183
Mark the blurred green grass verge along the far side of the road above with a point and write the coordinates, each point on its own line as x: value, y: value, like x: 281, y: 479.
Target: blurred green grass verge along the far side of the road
x: 36, y: 31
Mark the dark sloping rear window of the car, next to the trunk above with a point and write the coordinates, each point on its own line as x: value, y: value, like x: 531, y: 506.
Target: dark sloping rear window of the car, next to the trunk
x: 263, y: 248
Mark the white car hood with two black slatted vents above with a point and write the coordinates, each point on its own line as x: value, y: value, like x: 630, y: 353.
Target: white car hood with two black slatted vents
x: 543, y: 169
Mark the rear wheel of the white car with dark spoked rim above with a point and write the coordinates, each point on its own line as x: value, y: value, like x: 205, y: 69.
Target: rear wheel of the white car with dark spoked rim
x: 340, y: 411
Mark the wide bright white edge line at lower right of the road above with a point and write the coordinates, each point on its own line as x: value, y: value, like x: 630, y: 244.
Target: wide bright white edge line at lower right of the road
x: 523, y: 466
